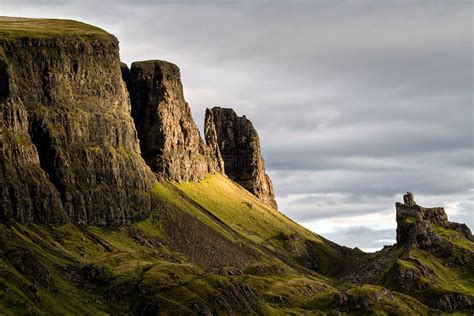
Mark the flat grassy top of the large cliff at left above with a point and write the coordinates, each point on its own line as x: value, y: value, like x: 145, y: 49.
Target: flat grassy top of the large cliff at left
x: 13, y: 27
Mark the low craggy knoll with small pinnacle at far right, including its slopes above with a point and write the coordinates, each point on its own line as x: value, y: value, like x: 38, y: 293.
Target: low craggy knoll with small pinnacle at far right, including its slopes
x: 433, y: 259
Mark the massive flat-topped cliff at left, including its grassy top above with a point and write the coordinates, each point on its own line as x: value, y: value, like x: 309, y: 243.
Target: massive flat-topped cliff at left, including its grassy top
x: 69, y: 149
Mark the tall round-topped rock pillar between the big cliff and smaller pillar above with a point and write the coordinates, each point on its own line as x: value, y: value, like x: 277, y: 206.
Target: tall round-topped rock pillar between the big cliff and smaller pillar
x: 169, y: 138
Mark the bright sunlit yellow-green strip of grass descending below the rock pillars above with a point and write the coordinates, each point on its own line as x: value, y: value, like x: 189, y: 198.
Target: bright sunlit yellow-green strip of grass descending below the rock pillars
x: 256, y: 221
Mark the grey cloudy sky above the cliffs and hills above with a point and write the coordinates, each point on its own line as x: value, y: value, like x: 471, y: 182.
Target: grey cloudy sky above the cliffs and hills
x: 356, y: 102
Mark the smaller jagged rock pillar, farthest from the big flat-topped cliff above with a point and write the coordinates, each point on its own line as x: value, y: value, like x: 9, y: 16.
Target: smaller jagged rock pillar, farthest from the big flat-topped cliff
x: 239, y: 145
